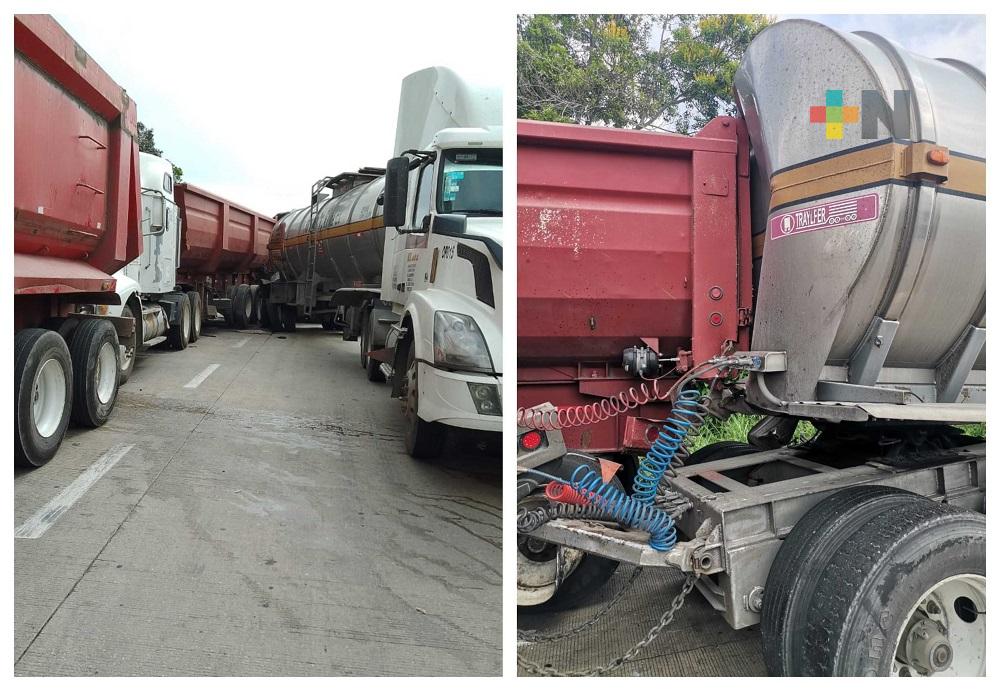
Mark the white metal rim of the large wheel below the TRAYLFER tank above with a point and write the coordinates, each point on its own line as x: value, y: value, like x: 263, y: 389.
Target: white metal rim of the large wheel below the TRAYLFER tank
x: 945, y: 632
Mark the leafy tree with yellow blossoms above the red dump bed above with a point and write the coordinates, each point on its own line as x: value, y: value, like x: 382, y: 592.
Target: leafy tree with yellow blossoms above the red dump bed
x: 669, y: 72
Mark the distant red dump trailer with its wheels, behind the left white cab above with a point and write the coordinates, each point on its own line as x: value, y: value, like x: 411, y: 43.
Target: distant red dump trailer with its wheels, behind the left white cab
x: 222, y: 246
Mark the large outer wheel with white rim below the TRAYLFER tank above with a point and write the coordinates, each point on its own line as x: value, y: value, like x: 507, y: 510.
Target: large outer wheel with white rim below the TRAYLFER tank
x: 904, y: 596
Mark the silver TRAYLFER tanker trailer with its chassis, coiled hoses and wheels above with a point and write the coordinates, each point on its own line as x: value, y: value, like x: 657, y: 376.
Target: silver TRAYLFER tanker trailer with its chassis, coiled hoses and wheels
x: 862, y: 550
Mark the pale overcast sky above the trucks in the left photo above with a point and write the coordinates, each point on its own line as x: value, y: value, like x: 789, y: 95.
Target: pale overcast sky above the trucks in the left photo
x: 256, y: 107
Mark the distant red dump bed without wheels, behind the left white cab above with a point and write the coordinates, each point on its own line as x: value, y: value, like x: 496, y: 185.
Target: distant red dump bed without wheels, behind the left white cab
x: 217, y: 236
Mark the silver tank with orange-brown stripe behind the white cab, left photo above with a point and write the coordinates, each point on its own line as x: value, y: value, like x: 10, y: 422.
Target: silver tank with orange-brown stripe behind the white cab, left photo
x: 349, y: 234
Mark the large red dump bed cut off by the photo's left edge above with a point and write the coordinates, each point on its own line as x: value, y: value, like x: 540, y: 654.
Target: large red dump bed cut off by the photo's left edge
x: 76, y: 166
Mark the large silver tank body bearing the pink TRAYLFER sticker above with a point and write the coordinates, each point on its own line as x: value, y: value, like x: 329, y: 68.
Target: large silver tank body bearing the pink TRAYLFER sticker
x: 869, y: 210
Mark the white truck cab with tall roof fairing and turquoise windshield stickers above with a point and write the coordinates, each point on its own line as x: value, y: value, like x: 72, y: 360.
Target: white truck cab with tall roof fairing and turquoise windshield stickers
x: 443, y: 262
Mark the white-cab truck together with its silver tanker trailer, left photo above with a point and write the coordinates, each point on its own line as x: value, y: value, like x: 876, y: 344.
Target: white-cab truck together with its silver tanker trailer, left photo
x: 408, y: 259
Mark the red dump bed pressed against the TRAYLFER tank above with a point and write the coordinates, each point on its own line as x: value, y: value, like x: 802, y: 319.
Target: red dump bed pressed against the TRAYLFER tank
x: 624, y: 238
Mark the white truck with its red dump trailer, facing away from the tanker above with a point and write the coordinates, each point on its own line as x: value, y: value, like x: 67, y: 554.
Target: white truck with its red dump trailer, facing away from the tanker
x: 199, y: 254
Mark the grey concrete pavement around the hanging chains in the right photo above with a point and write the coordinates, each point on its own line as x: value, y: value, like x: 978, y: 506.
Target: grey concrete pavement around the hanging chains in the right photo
x: 698, y: 643
